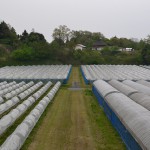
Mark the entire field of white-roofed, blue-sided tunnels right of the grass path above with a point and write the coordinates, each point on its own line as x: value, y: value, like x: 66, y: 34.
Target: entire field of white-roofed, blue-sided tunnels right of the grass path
x: 124, y: 93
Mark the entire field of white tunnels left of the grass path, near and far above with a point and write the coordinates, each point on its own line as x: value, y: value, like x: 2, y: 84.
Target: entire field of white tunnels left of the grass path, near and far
x: 22, y: 96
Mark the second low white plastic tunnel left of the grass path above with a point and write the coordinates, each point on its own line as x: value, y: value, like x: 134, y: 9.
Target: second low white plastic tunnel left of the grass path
x: 21, y: 108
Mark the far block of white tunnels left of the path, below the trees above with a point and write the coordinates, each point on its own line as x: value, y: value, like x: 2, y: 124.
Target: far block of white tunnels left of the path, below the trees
x: 39, y: 72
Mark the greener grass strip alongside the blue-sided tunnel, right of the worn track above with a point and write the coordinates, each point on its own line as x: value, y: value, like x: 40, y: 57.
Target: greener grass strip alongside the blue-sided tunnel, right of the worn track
x: 106, y: 137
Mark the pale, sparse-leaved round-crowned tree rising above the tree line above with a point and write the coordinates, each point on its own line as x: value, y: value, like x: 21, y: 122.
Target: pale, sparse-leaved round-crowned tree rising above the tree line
x: 61, y: 33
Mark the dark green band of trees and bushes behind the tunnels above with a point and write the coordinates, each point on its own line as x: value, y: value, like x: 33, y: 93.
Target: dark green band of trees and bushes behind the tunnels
x: 32, y: 48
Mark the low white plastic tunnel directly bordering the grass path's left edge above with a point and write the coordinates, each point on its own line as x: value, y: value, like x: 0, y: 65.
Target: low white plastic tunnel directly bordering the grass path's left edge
x: 18, y: 137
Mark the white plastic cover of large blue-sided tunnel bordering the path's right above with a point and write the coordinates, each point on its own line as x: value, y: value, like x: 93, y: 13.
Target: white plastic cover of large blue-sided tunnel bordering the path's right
x: 135, y: 117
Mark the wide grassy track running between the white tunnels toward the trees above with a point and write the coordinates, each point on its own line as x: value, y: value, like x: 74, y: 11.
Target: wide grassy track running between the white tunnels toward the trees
x: 74, y: 121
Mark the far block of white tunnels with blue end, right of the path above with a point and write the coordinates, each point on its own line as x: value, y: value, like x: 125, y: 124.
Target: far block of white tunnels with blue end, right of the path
x: 117, y: 72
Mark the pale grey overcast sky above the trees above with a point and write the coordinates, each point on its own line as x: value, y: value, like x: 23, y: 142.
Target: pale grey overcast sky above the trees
x: 121, y: 18
